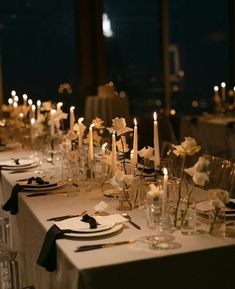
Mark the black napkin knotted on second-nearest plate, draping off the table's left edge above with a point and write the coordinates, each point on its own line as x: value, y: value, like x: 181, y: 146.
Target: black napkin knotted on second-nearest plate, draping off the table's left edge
x: 12, y: 203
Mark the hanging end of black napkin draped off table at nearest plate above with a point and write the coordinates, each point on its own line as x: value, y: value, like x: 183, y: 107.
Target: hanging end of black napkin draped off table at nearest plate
x: 47, y: 257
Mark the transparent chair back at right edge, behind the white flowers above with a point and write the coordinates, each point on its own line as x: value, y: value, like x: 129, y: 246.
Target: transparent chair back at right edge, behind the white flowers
x: 221, y: 174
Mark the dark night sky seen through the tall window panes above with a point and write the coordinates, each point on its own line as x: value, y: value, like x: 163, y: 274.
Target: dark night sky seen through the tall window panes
x: 38, y: 51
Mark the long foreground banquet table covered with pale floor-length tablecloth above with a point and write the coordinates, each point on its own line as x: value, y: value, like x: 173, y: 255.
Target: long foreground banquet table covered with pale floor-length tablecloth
x: 203, y: 261
